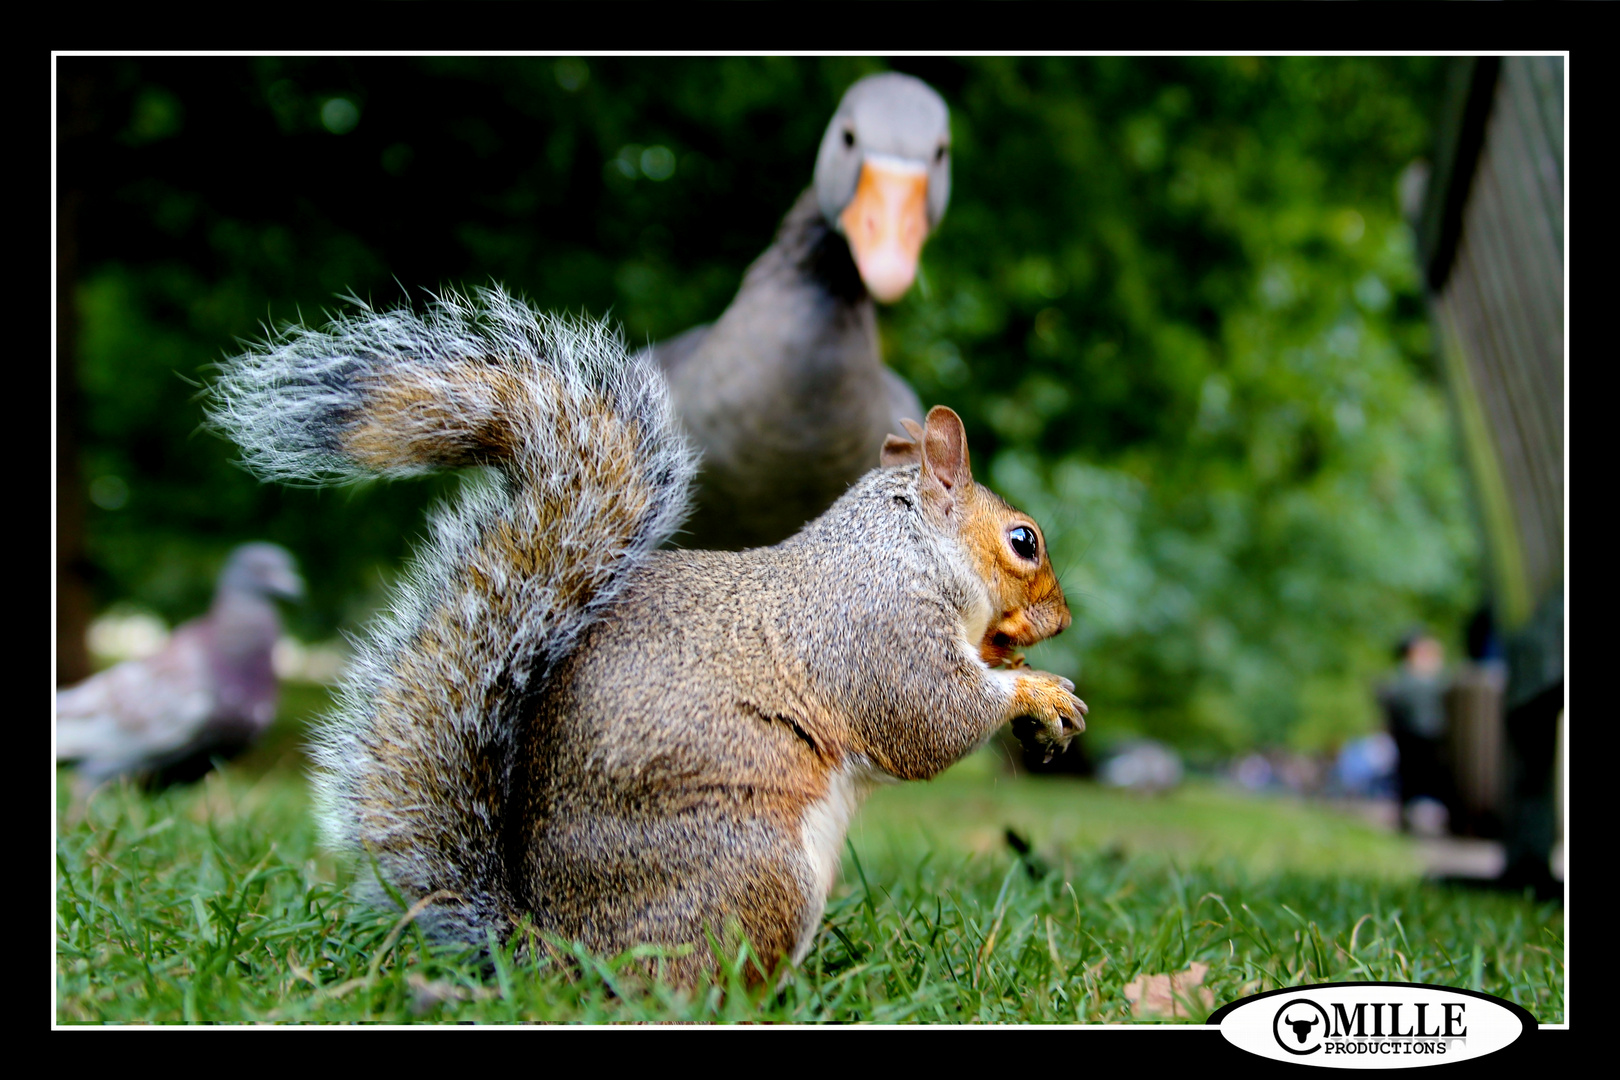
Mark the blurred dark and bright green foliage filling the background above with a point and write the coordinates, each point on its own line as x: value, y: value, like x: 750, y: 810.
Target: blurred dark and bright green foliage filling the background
x: 1174, y: 300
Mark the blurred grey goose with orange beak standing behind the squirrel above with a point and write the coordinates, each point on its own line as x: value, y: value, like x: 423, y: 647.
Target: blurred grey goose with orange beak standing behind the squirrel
x: 787, y: 394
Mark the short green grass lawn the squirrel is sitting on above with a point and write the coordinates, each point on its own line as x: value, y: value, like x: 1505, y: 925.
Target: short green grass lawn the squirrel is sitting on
x: 215, y: 904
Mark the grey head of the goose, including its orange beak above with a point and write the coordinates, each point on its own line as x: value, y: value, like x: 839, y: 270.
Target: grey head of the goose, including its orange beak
x: 884, y: 176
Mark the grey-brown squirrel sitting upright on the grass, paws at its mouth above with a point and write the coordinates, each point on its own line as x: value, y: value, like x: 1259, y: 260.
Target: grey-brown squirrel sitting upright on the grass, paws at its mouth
x: 560, y: 721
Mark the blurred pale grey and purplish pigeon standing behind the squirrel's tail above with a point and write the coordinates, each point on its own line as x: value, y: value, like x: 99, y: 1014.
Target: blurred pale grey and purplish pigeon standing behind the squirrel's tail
x: 208, y: 695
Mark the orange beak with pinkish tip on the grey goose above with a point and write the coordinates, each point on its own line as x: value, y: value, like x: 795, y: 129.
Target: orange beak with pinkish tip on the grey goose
x: 887, y: 224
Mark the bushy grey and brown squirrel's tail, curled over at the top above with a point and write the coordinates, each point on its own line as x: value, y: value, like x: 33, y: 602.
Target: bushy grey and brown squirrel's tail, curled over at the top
x: 594, y: 474
